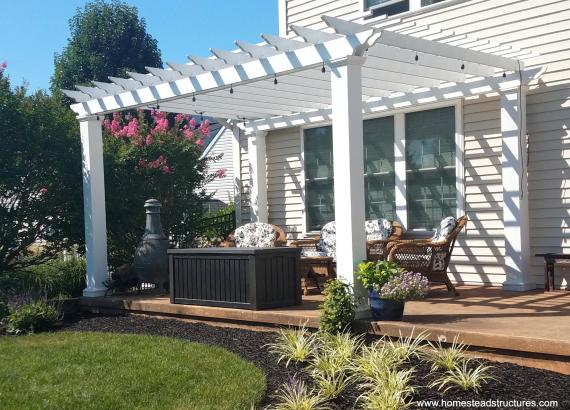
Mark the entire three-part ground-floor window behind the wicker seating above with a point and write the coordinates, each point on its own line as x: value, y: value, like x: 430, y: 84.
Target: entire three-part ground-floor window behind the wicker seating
x: 430, y: 171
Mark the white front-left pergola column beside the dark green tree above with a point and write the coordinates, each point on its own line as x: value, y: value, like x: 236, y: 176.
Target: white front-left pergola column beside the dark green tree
x: 94, y: 206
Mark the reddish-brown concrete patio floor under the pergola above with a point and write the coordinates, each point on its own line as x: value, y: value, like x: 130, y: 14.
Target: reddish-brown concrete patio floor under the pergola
x: 532, y: 324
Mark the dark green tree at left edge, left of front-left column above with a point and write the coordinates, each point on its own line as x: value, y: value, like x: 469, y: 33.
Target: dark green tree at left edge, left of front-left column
x: 40, y: 177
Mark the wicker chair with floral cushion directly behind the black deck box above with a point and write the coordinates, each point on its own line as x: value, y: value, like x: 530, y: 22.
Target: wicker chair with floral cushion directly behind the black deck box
x: 254, y: 234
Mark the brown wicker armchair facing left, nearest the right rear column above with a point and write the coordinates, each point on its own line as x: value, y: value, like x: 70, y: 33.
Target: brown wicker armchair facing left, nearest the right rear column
x: 427, y: 256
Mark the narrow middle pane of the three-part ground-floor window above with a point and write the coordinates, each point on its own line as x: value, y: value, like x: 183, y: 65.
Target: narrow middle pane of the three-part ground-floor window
x: 379, y: 177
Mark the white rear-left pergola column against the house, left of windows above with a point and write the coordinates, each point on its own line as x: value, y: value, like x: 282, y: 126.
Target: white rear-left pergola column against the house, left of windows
x: 258, y: 176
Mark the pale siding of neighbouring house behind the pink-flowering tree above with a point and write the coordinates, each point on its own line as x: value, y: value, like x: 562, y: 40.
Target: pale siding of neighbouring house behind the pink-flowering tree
x: 223, y: 188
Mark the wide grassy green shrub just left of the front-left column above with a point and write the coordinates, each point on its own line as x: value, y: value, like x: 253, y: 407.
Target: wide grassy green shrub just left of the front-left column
x: 50, y: 279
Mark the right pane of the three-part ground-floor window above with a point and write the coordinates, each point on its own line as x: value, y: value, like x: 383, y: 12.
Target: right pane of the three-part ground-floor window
x: 430, y: 167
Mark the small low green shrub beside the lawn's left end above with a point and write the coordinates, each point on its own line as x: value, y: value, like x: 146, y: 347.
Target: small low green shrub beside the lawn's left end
x: 32, y: 317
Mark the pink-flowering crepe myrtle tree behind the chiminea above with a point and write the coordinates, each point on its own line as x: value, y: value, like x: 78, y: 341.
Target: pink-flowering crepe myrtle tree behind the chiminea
x: 154, y: 155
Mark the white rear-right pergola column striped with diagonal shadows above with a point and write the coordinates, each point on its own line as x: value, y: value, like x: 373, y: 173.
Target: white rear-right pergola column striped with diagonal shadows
x: 515, y: 191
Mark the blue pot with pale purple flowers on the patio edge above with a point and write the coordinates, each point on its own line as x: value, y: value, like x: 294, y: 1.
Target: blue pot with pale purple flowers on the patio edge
x: 393, y: 294
